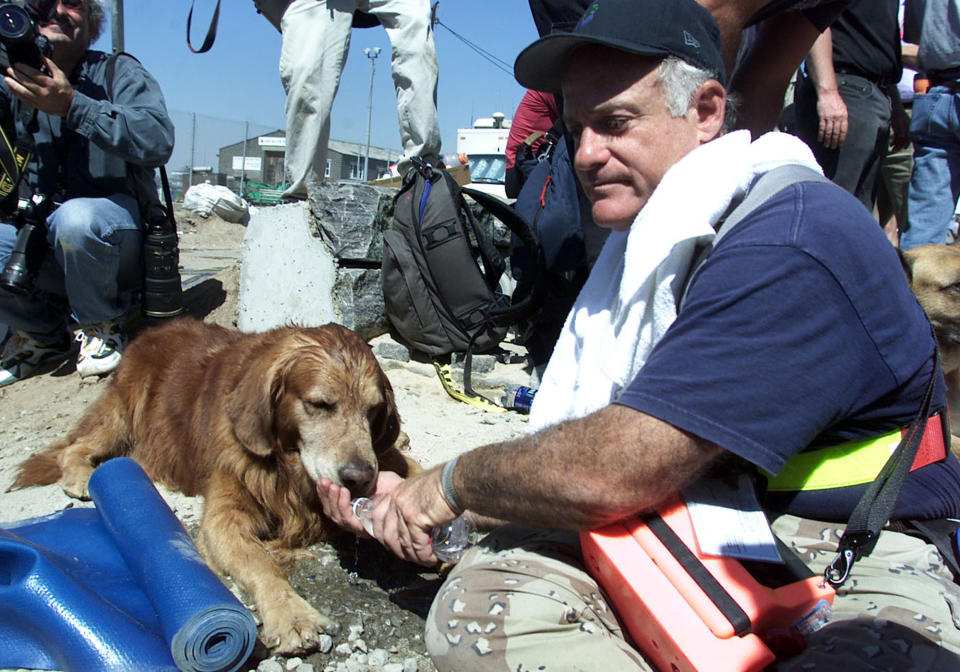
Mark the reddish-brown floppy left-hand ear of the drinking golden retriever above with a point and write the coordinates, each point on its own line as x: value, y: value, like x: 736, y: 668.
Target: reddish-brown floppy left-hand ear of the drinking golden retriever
x: 251, y: 406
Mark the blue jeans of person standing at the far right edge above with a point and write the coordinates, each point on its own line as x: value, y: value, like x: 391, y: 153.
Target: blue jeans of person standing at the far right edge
x: 935, y: 182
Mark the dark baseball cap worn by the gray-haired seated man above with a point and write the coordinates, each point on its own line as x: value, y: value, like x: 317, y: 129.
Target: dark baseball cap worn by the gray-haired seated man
x: 681, y: 28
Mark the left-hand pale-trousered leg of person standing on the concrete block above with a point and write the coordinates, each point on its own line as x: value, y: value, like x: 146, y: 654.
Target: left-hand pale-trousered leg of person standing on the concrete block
x: 316, y: 37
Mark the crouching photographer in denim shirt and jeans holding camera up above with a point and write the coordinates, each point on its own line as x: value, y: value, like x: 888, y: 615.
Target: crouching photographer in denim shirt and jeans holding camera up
x: 89, y: 130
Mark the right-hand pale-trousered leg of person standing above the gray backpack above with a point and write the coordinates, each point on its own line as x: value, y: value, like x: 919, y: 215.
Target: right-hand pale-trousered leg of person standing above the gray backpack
x: 413, y: 61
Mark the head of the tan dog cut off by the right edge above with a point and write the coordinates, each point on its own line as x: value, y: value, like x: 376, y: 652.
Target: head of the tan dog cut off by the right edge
x: 934, y: 275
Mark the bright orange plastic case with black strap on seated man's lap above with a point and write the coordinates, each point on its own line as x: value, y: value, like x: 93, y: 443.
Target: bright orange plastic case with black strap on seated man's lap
x: 672, y: 621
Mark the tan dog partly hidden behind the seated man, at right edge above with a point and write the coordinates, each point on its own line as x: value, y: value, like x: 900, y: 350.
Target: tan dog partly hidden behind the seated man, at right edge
x: 934, y: 275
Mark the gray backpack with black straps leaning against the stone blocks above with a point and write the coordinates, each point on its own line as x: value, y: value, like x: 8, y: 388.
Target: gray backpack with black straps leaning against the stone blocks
x: 441, y: 271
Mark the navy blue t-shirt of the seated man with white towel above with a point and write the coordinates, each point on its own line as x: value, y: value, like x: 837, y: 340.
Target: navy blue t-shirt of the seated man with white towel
x: 800, y: 331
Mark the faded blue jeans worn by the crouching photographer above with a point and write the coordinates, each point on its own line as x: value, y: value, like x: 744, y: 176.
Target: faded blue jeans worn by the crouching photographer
x: 94, y: 262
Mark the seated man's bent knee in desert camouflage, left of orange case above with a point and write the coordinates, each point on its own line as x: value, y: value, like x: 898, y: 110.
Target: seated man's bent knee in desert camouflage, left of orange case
x: 521, y: 600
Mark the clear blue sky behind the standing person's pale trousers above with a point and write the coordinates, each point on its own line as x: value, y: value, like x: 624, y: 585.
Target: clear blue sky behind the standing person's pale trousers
x: 237, y: 80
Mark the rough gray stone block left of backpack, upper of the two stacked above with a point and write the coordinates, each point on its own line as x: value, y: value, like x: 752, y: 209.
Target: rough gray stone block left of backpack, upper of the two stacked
x: 350, y: 218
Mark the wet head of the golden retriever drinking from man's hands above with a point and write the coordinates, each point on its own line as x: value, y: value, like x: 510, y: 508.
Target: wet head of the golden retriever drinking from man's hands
x: 318, y: 391
